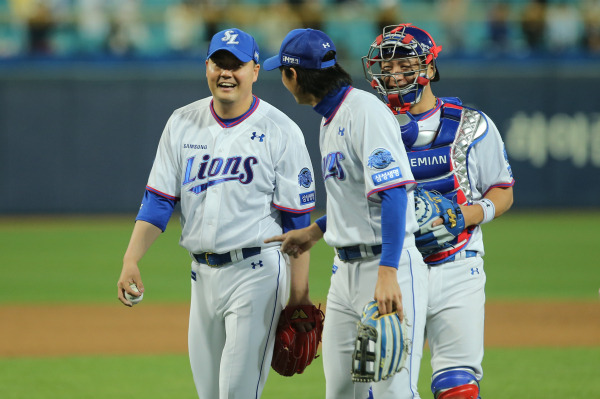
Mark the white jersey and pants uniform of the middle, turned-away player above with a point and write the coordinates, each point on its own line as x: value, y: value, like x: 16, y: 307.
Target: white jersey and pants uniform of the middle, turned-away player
x: 362, y: 154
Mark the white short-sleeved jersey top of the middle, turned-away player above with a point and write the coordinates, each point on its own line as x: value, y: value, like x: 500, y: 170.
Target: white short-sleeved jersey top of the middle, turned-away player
x: 362, y: 154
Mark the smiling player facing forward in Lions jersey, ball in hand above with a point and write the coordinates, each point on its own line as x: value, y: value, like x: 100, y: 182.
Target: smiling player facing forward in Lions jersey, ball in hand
x: 242, y: 173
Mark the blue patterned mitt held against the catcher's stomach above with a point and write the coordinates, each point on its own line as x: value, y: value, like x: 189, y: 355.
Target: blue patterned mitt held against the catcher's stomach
x: 430, y: 205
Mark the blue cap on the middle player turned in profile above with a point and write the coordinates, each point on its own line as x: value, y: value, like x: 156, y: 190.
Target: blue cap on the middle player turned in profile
x: 304, y: 48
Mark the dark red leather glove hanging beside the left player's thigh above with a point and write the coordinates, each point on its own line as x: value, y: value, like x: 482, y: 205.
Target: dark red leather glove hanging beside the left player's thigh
x: 295, y: 350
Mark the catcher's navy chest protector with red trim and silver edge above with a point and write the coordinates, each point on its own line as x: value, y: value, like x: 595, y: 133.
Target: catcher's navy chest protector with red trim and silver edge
x: 442, y: 164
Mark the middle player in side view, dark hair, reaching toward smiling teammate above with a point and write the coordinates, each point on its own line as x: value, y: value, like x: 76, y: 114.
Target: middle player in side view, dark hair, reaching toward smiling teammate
x: 370, y: 213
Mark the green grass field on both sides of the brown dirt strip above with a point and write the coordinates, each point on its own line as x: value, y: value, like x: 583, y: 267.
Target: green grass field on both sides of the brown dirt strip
x: 530, y: 256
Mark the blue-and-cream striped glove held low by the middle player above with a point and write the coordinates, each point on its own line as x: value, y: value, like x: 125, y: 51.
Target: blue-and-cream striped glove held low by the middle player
x: 381, y: 345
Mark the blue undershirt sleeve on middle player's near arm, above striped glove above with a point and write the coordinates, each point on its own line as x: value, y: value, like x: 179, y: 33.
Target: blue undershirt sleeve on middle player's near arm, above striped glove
x: 393, y: 224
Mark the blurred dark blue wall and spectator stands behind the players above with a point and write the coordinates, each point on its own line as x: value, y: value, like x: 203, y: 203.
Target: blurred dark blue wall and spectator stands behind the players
x: 86, y: 86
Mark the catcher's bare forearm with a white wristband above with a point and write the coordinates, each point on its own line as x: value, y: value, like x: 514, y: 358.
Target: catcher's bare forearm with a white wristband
x: 496, y: 202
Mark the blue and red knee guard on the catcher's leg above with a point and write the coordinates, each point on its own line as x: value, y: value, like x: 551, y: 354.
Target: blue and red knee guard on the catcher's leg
x: 457, y: 383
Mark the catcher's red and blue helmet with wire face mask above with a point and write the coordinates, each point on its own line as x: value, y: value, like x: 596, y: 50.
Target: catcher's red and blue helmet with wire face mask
x: 401, y: 41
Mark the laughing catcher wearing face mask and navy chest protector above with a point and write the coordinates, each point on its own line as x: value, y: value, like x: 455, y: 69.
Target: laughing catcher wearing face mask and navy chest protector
x: 457, y: 151
